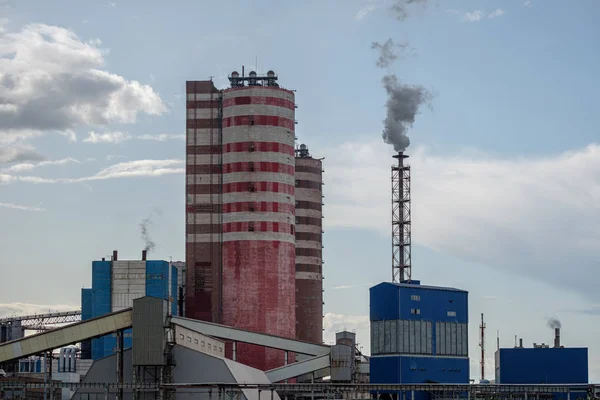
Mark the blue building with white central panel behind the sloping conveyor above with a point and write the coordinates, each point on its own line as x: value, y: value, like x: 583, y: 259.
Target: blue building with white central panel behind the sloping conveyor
x: 115, y: 285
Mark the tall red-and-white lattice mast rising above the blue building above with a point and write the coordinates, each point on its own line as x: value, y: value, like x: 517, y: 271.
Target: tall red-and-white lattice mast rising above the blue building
x: 401, y: 226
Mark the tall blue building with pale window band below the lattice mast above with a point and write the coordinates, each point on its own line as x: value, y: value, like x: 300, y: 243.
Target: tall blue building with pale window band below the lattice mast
x: 419, y: 334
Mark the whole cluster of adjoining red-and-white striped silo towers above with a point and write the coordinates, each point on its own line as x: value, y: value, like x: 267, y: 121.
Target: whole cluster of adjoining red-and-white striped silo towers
x: 241, y: 215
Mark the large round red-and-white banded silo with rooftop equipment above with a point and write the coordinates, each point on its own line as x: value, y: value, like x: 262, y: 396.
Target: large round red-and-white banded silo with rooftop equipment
x: 258, y: 215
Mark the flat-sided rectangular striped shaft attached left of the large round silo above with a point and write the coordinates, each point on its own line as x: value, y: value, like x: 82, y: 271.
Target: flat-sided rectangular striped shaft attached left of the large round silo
x: 203, y: 201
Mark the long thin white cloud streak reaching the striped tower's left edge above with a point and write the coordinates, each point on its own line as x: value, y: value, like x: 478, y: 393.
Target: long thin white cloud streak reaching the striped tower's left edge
x: 129, y: 169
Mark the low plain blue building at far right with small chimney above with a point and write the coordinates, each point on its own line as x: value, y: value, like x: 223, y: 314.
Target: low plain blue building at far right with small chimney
x: 543, y: 365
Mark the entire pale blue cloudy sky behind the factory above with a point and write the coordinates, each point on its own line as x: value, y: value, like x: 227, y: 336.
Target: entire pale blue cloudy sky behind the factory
x: 505, y: 155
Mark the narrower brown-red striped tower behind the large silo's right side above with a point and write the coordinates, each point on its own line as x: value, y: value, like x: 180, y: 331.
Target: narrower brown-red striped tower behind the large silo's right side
x: 309, y: 245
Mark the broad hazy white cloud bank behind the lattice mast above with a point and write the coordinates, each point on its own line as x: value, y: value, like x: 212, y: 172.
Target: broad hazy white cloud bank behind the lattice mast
x: 532, y: 217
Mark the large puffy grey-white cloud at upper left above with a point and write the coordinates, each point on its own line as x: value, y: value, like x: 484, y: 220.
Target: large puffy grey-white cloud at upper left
x: 52, y: 81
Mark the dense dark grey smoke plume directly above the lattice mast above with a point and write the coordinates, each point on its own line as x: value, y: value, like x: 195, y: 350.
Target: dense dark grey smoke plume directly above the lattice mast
x: 402, y: 105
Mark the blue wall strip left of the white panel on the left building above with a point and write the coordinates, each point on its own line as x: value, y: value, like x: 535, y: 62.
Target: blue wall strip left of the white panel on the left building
x: 101, y: 299
